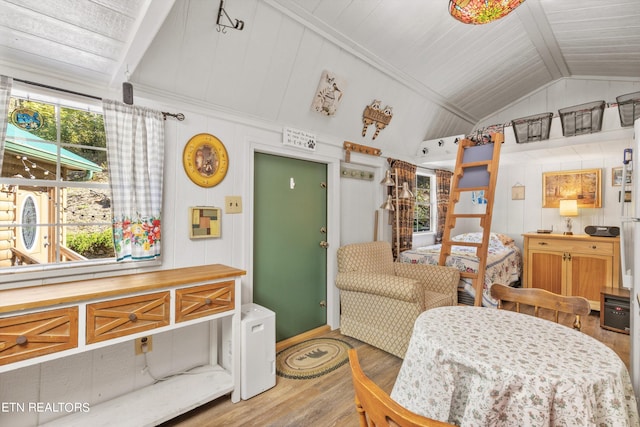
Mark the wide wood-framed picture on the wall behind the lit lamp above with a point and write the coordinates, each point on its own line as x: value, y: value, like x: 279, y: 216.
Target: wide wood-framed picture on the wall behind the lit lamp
x: 584, y: 185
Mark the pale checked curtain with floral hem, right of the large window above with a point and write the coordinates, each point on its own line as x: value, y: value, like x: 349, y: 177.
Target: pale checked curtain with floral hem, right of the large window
x: 135, y: 146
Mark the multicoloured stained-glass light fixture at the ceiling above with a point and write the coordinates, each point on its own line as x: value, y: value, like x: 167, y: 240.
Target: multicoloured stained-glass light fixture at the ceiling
x: 481, y: 11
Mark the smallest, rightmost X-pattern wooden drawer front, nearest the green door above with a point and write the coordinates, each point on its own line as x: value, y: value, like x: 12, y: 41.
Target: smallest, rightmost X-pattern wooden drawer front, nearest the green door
x: 205, y: 300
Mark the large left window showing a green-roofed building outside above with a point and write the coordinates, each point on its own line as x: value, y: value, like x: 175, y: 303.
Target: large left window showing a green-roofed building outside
x: 54, y: 186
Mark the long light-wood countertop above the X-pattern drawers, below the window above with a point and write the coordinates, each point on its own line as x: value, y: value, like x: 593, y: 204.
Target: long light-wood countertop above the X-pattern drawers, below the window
x: 81, y: 290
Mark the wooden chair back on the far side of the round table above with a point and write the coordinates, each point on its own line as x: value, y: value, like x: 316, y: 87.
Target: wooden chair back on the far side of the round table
x: 541, y: 298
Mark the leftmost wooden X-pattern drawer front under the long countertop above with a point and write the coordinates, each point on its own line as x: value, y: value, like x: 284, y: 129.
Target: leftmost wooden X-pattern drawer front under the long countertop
x: 31, y: 335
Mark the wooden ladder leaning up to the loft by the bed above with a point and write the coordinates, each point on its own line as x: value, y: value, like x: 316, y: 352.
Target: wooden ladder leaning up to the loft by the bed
x: 476, y: 170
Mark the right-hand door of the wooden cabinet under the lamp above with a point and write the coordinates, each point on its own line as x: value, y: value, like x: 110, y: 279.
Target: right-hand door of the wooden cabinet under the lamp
x: 589, y: 273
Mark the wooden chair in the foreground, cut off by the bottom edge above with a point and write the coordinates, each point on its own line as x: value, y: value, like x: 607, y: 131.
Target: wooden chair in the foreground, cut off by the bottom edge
x: 376, y: 408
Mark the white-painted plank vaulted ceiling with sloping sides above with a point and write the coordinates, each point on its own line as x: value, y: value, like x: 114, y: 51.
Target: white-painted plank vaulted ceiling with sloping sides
x: 440, y: 76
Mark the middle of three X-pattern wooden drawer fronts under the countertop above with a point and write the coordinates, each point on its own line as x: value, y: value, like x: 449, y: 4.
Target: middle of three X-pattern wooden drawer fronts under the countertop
x: 125, y: 316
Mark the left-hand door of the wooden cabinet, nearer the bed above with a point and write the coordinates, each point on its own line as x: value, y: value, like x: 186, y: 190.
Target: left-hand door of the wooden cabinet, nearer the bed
x: 545, y: 271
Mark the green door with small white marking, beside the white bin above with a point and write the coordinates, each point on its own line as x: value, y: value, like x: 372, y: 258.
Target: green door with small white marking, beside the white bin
x: 289, y: 262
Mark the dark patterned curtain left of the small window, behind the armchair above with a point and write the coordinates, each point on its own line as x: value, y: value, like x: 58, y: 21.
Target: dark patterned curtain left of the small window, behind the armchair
x: 405, y: 209
